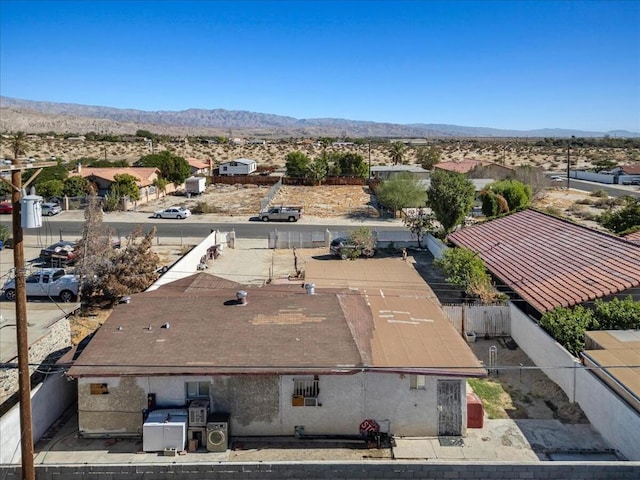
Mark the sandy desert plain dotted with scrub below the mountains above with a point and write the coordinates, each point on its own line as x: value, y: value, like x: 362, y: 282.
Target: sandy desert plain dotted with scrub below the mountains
x: 510, y: 152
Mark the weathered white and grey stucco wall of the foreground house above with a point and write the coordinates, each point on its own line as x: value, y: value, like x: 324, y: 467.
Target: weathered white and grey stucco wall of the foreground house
x: 262, y: 404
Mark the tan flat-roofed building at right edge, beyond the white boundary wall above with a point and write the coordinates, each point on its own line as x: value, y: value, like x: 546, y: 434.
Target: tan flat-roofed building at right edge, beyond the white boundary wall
x: 613, y: 355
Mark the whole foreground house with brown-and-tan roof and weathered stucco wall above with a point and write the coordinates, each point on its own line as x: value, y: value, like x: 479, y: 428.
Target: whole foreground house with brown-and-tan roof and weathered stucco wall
x: 282, y: 360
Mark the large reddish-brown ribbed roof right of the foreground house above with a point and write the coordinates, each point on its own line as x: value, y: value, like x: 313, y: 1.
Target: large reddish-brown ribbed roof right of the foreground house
x: 550, y: 262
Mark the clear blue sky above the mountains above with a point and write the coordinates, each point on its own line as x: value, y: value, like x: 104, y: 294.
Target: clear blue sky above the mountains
x: 502, y: 64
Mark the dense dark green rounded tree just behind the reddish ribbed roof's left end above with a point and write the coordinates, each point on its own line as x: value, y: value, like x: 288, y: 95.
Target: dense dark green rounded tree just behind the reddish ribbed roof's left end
x: 450, y: 197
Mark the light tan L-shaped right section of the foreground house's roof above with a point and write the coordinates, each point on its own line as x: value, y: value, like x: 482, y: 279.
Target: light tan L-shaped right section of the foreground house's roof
x: 409, y: 328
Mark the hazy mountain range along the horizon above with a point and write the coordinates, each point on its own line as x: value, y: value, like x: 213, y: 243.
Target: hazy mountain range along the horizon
x: 41, y: 116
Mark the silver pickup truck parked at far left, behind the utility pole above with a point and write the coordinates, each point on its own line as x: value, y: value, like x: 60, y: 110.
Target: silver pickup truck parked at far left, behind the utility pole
x: 46, y: 282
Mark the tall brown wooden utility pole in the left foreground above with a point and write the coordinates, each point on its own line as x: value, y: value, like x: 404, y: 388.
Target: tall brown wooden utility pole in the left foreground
x: 22, y: 335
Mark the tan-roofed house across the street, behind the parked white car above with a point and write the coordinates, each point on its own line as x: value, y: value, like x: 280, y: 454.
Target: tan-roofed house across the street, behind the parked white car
x: 103, y: 178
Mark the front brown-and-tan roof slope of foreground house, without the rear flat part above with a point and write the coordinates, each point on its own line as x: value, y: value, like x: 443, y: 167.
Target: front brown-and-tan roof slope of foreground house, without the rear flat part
x: 280, y: 329
